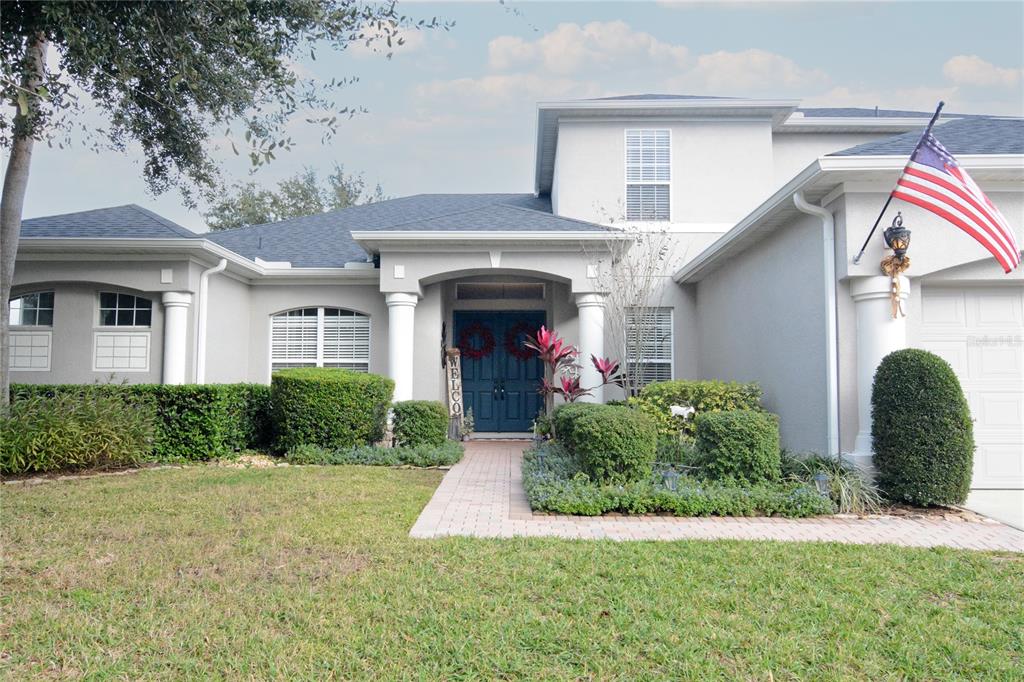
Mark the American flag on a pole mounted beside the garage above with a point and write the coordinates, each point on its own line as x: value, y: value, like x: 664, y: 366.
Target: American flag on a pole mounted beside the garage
x: 936, y: 183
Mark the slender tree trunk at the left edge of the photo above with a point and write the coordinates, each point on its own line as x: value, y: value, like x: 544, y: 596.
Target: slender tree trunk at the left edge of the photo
x: 16, y: 183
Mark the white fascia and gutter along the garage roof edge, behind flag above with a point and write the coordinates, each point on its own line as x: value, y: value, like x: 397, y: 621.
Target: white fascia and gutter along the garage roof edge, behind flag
x: 1012, y: 163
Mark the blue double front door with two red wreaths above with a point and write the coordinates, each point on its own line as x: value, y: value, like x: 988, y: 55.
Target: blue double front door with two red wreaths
x: 500, y: 380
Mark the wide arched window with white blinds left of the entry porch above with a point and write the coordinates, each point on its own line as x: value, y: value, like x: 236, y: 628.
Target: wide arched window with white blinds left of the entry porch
x: 320, y: 337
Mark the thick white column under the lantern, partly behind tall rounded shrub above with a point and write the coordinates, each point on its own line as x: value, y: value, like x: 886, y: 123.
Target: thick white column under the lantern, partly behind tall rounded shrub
x: 878, y: 335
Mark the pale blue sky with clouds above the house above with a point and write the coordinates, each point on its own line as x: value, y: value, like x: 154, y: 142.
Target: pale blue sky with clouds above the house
x: 456, y: 111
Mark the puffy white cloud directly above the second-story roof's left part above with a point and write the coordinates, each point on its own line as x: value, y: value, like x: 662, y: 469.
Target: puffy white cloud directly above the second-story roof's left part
x: 571, y: 49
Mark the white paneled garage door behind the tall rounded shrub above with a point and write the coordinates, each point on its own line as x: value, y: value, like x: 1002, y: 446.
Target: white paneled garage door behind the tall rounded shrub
x: 980, y: 332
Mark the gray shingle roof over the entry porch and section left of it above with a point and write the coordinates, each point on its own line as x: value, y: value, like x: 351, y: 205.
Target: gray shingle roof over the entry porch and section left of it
x: 326, y: 241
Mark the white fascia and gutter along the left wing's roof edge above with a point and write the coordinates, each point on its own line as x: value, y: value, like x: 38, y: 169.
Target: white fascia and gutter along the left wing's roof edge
x: 239, y: 265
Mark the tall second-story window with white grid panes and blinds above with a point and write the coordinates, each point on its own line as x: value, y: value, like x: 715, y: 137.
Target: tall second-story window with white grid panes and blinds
x: 649, y: 175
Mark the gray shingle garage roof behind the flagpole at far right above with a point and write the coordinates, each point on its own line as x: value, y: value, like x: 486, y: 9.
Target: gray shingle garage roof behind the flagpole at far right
x: 960, y: 137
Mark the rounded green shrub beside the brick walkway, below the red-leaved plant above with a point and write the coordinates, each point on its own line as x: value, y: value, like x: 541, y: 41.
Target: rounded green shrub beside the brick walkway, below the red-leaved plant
x: 615, y: 445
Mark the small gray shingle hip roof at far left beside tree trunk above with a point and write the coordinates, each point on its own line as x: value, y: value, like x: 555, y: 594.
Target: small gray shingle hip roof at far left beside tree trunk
x: 130, y: 222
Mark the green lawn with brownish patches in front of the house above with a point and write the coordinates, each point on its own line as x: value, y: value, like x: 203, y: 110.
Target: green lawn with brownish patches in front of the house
x: 310, y: 574
